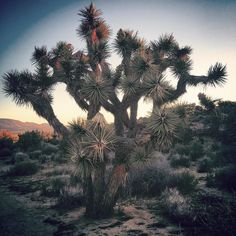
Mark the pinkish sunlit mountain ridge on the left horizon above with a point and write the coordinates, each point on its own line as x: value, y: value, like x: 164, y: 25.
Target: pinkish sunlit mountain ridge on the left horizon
x: 16, y: 126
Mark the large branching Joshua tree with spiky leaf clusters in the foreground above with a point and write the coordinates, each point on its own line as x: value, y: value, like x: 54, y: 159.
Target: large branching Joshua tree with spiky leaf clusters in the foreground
x: 93, y: 84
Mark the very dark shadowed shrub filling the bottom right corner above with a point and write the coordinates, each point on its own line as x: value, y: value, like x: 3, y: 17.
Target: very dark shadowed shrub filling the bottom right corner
x: 212, y: 214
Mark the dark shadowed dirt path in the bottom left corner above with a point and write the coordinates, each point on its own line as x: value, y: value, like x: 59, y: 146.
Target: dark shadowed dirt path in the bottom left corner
x: 18, y: 220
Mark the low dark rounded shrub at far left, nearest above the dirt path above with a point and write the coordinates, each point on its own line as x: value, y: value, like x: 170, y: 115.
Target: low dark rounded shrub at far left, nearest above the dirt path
x: 23, y: 168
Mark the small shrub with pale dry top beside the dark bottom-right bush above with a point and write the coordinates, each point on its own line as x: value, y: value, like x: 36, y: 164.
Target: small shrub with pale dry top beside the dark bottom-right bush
x: 174, y: 205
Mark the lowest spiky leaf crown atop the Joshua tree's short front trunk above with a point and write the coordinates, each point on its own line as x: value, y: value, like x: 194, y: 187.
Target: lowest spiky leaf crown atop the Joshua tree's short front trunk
x: 91, y: 142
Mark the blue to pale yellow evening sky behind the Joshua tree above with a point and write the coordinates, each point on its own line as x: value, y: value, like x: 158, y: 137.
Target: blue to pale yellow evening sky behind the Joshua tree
x: 208, y: 26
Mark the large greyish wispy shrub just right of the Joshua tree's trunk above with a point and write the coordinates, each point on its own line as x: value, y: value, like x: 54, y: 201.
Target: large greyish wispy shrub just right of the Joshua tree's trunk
x: 149, y: 179
